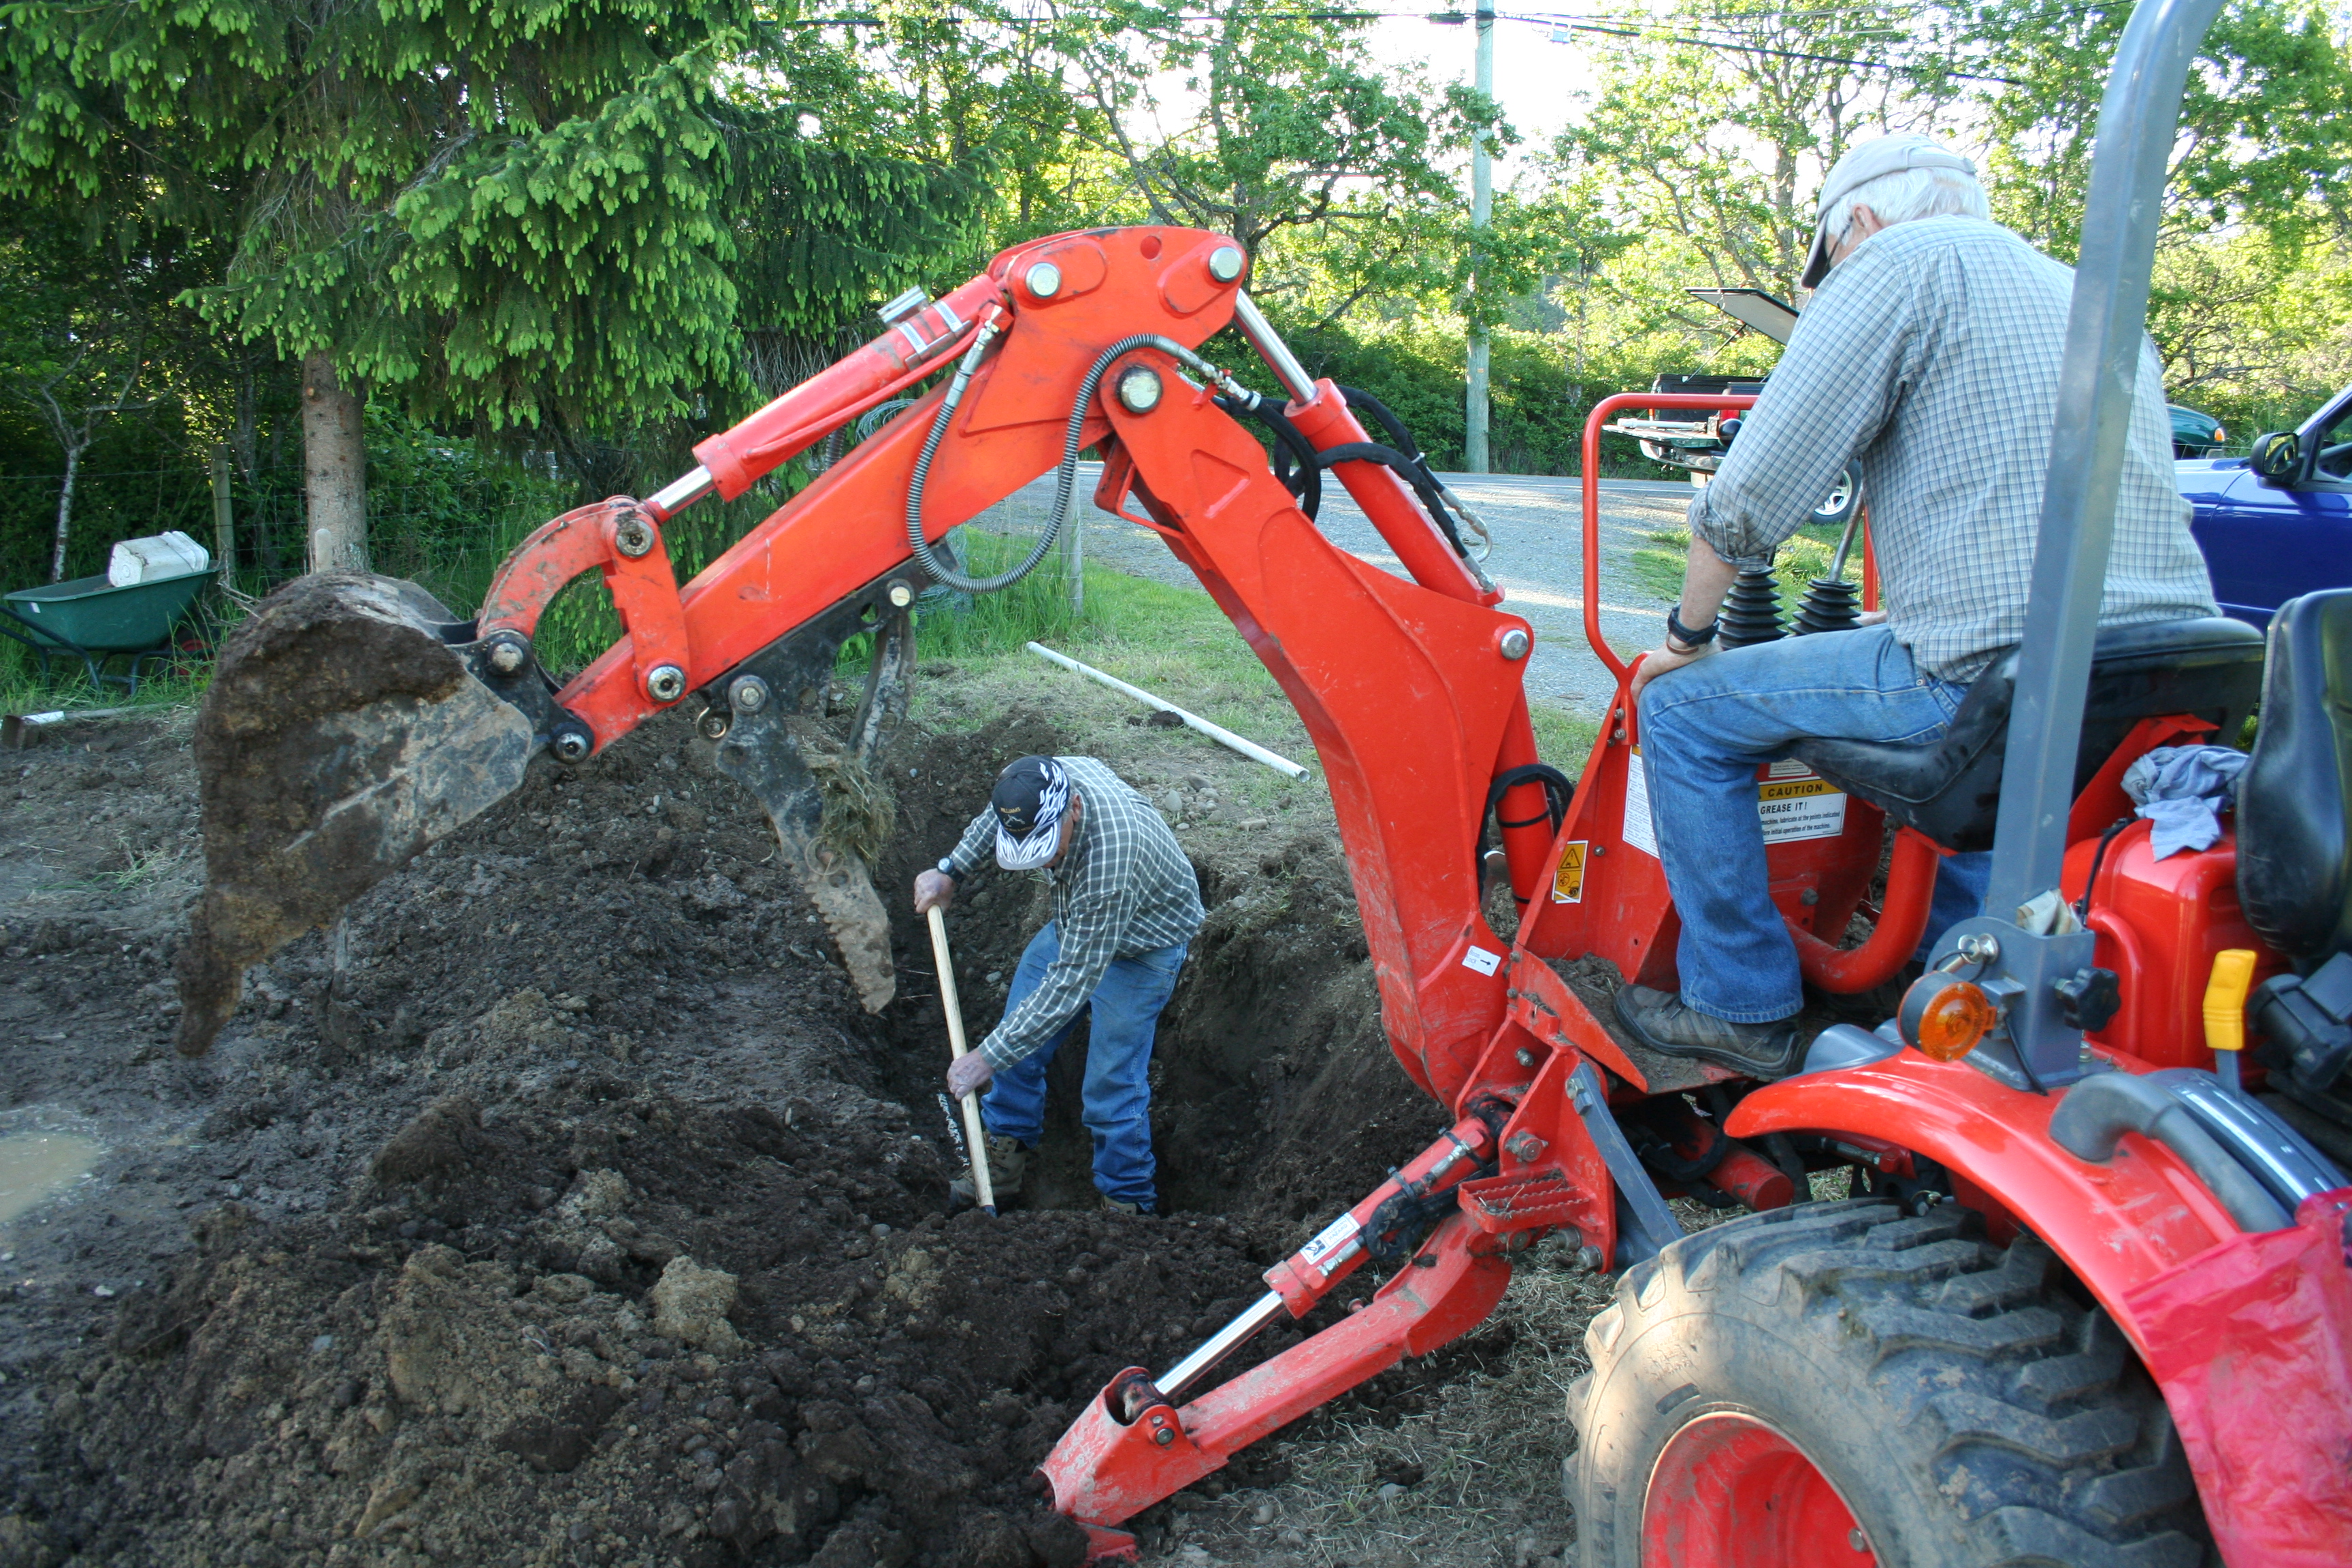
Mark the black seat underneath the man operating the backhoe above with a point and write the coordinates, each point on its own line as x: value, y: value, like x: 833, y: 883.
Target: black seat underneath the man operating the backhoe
x: 1951, y: 789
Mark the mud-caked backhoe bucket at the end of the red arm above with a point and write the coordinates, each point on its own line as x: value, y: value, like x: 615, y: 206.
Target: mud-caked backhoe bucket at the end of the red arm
x: 340, y: 737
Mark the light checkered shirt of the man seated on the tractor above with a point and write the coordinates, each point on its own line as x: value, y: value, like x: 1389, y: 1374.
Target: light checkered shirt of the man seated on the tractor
x: 1930, y: 363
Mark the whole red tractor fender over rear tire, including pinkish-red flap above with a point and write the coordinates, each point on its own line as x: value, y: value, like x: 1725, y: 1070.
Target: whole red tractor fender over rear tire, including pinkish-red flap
x: 2245, y: 1332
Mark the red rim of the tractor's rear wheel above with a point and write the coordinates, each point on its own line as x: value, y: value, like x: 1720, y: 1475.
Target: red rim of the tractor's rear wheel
x: 1732, y: 1492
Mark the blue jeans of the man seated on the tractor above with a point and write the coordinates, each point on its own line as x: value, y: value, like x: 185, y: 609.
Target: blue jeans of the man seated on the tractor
x: 1706, y: 730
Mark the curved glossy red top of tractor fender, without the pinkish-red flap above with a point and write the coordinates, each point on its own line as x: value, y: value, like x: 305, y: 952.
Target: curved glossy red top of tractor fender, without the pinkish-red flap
x: 2116, y: 1224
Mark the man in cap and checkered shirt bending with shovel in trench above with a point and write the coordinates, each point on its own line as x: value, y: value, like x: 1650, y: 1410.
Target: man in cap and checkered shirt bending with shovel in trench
x: 1125, y: 911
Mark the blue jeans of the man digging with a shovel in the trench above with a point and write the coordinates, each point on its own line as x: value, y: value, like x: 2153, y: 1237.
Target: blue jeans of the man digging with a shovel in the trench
x: 1118, y: 1099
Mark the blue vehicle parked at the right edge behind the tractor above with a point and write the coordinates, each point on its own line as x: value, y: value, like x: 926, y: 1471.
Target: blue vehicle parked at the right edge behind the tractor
x: 2278, y: 523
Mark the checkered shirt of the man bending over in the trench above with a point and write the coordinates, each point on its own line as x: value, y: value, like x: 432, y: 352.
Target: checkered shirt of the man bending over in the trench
x: 1123, y: 890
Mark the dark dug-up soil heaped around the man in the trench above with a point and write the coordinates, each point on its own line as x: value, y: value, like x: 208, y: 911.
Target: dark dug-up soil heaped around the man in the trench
x: 577, y: 1212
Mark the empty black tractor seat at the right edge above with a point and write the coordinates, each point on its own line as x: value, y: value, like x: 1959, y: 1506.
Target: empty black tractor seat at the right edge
x: 2294, y: 869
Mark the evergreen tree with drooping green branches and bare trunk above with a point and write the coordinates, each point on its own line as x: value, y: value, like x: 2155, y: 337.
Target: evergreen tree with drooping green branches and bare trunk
x: 519, y: 217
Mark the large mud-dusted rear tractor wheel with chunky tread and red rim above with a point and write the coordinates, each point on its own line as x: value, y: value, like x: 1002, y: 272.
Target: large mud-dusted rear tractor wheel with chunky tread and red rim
x: 1845, y: 1383
